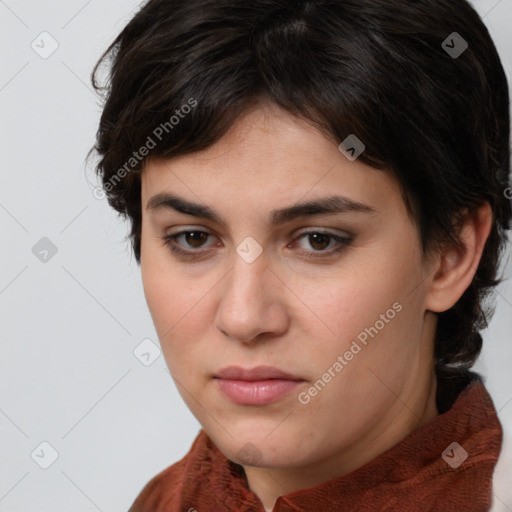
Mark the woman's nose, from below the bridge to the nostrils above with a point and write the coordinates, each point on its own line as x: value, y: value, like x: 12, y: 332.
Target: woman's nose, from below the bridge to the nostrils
x: 253, y: 302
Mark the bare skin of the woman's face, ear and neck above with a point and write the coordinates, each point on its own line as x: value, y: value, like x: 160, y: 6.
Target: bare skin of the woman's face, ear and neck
x: 297, y: 313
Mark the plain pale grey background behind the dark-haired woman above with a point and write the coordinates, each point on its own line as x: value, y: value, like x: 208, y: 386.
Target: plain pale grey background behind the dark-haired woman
x: 71, y: 374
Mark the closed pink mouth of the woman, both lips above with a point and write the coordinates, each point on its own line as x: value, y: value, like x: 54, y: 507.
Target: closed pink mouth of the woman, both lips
x: 261, y: 385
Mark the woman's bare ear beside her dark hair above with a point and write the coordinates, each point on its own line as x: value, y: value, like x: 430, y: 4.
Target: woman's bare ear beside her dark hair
x: 454, y: 267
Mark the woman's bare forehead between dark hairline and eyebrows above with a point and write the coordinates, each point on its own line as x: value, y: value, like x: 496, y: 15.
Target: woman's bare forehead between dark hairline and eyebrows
x: 268, y: 158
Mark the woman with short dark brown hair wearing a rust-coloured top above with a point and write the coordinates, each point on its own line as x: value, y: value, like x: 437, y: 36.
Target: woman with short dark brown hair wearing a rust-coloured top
x: 317, y: 193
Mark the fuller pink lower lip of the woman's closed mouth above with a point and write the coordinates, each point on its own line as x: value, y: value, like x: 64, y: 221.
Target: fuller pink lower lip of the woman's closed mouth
x: 258, y: 392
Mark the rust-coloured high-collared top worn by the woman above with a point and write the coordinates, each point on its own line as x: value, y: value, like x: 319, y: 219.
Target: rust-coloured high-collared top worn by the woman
x: 426, y: 471
